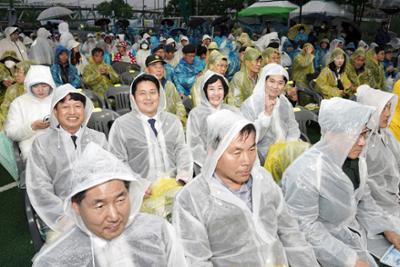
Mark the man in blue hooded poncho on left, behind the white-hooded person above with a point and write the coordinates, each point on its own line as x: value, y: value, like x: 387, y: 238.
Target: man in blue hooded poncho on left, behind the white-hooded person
x: 62, y: 71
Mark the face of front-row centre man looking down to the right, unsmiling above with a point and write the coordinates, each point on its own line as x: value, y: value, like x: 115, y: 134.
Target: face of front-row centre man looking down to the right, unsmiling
x: 235, y: 164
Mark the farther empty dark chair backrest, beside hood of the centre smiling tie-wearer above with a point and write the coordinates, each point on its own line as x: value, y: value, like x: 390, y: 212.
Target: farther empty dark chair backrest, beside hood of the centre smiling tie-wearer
x: 118, y: 99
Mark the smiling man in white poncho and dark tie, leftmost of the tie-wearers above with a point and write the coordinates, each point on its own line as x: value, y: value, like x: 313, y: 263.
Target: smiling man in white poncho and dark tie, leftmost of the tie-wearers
x: 50, y: 165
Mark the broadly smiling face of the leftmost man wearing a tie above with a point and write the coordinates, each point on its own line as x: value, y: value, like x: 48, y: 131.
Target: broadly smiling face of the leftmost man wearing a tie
x: 70, y: 114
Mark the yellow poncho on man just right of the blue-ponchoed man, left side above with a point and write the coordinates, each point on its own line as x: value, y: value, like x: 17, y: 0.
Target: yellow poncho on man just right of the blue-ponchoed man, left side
x: 97, y: 82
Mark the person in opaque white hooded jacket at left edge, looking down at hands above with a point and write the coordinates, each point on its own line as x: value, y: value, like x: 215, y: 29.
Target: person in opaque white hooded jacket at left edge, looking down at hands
x: 27, y: 115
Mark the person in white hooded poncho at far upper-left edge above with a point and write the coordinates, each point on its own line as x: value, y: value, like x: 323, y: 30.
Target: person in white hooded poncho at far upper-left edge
x: 12, y: 42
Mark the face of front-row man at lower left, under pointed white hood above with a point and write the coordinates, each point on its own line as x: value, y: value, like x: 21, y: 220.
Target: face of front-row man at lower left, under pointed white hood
x: 105, y: 209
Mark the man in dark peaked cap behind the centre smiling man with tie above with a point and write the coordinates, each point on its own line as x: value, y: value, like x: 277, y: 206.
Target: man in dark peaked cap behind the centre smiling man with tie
x: 155, y: 66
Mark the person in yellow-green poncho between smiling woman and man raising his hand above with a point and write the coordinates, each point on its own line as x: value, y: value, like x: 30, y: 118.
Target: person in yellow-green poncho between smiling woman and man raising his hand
x: 243, y: 82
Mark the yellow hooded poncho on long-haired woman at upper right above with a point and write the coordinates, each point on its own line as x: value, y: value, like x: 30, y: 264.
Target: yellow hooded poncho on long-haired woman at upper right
x: 327, y: 82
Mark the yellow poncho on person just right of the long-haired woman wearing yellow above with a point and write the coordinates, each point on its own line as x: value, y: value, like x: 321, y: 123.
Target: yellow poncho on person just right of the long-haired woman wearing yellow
x: 360, y: 77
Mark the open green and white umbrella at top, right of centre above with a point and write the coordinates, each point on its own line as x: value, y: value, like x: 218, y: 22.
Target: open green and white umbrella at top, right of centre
x: 263, y: 8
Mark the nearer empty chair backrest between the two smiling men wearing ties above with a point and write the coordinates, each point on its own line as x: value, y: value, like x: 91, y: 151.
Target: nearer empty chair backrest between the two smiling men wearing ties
x: 102, y: 119
